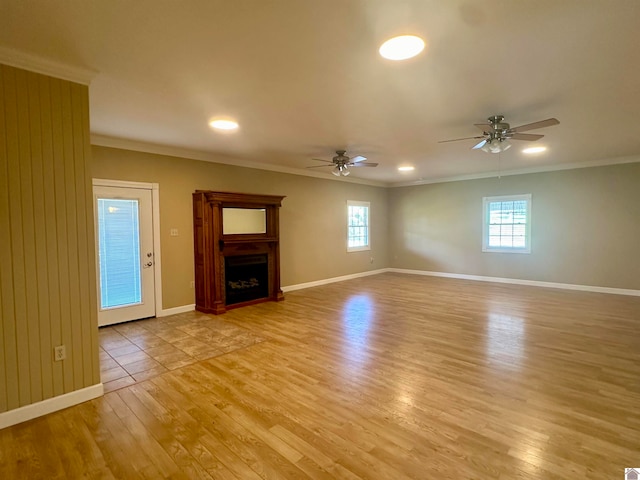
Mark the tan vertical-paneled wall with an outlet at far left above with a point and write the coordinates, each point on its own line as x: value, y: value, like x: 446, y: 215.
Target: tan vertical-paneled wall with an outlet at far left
x: 47, y: 279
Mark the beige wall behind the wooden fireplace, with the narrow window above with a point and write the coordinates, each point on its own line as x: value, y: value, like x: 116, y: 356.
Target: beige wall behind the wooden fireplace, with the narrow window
x: 312, y: 217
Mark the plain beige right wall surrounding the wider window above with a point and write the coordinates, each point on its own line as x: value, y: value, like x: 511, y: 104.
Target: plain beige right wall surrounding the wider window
x: 585, y: 227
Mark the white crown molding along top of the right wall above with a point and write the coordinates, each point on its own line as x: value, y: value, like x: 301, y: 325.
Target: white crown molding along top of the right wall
x: 523, y: 171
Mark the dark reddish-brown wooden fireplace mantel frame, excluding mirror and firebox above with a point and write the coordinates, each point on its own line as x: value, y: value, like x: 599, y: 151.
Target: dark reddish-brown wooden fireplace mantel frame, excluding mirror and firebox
x: 212, y: 246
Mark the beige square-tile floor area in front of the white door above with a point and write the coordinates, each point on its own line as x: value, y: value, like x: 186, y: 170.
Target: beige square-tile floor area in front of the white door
x: 135, y: 351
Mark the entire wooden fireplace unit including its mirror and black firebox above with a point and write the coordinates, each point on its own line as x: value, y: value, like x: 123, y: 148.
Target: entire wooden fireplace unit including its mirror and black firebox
x: 236, y: 249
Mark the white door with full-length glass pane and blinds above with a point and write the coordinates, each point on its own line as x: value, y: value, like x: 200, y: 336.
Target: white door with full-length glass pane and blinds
x: 124, y: 246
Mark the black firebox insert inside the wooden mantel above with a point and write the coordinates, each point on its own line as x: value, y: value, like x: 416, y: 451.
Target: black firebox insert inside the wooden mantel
x: 246, y: 278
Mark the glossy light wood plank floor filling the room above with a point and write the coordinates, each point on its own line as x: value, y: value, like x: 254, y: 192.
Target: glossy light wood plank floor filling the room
x: 385, y: 377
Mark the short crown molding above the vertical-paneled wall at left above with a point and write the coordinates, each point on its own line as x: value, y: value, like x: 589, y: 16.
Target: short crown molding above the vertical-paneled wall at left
x: 45, y: 66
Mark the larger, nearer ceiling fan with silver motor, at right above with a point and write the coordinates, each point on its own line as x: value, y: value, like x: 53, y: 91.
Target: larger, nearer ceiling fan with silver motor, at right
x: 497, y: 132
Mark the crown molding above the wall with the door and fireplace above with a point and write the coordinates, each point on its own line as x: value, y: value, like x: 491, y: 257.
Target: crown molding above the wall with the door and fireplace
x: 137, y: 146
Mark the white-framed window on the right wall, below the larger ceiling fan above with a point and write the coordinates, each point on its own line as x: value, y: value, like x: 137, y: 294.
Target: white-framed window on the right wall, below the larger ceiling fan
x: 506, y: 224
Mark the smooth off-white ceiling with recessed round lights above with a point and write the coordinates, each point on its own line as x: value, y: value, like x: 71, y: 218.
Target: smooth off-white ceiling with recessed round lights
x: 304, y: 78
